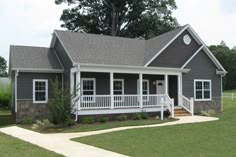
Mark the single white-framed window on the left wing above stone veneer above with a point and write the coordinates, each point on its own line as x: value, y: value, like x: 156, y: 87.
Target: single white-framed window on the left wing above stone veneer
x: 40, y: 91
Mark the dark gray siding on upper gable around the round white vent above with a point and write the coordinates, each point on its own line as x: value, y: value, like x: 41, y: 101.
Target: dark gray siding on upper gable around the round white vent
x: 177, y: 53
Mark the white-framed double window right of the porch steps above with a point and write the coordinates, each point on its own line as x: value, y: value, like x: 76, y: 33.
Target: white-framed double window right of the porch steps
x: 202, y: 90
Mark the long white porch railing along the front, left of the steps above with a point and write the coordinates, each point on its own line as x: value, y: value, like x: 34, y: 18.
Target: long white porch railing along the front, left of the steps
x: 125, y: 101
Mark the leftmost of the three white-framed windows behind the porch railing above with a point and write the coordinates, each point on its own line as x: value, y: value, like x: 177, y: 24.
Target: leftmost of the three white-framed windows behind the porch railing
x: 88, y: 89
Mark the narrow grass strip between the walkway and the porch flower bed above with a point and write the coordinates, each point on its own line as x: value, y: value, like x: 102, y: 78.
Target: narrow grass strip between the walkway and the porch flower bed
x: 96, y: 126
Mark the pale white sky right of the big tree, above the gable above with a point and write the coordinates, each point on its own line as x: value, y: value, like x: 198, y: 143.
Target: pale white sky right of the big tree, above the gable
x: 209, y: 20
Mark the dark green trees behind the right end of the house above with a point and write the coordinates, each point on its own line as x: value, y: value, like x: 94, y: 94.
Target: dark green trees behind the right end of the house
x: 227, y: 57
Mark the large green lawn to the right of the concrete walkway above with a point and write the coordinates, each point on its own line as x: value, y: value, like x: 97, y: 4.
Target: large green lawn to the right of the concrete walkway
x: 209, y: 139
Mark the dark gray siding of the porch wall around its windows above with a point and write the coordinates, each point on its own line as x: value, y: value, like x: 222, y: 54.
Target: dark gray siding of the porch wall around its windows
x: 130, y: 82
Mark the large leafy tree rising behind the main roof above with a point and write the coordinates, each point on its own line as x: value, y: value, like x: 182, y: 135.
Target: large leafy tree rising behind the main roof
x: 127, y: 18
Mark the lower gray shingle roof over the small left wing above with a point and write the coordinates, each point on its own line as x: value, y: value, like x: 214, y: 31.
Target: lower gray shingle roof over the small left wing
x: 33, y: 58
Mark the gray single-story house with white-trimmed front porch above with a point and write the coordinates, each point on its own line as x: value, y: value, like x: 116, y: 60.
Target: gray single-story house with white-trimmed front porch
x: 175, y: 69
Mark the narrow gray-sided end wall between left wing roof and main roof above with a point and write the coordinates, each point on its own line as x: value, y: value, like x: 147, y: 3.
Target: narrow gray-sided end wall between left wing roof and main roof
x: 65, y: 60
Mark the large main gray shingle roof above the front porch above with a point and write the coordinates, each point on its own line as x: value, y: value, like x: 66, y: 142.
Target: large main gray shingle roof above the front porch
x: 100, y: 49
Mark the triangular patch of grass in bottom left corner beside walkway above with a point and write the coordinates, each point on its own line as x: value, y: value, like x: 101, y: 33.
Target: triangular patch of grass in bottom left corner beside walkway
x: 12, y: 147
